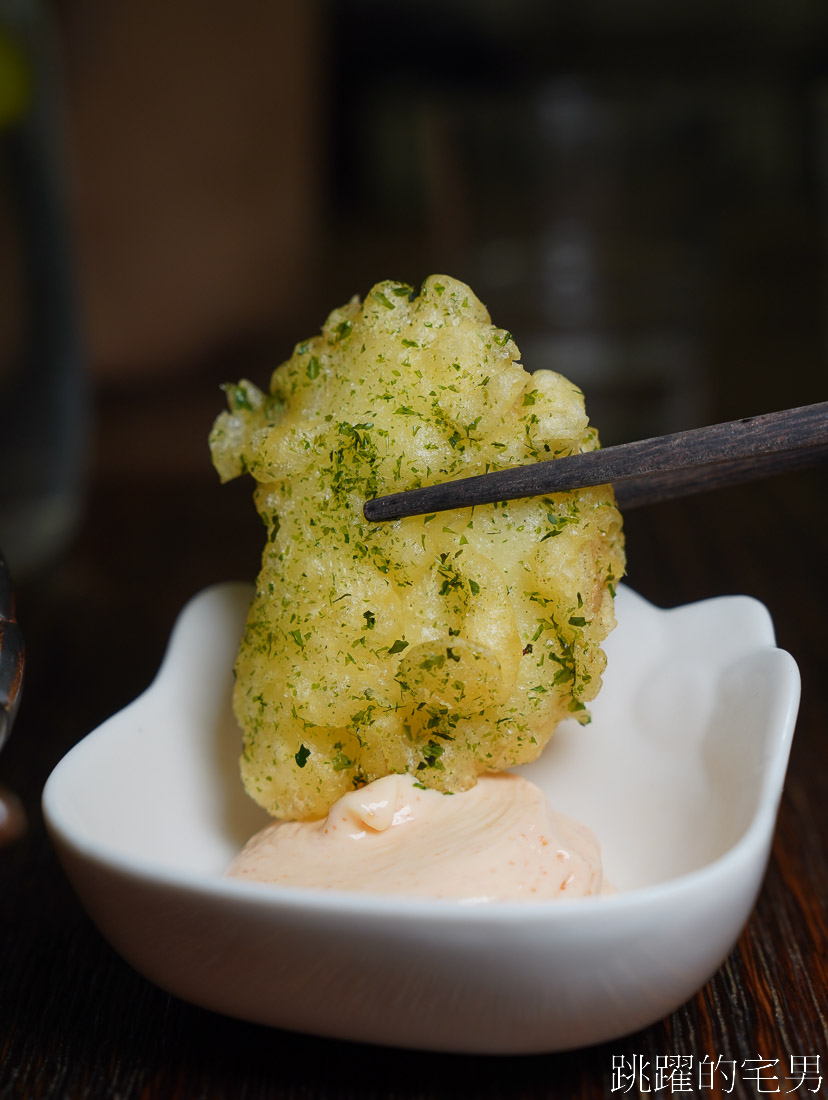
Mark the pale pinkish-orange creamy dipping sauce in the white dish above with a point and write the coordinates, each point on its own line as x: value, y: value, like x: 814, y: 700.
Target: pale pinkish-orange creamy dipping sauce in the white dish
x: 499, y: 842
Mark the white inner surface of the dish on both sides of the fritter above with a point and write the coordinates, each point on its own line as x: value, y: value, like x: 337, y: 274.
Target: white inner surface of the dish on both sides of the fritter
x: 689, y: 741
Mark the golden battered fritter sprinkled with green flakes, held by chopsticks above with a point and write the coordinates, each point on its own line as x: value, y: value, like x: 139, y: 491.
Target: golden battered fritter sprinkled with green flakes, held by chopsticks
x: 444, y: 646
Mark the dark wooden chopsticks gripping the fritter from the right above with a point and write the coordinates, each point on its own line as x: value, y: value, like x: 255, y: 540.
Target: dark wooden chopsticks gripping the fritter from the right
x: 644, y: 472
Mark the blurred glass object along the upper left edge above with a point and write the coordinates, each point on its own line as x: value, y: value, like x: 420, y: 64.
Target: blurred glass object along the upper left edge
x: 43, y: 401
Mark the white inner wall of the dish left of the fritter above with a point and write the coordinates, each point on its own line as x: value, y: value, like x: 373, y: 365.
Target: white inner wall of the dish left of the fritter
x: 159, y: 783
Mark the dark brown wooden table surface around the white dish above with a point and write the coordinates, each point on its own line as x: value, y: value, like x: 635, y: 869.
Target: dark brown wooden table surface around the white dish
x: 76, y: 1021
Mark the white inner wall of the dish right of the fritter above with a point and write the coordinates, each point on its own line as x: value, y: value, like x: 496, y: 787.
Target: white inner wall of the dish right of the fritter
x: 690, y: 736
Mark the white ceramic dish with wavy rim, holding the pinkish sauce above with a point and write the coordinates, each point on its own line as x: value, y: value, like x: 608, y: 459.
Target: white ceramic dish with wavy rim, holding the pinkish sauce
x: 680, y: 775
